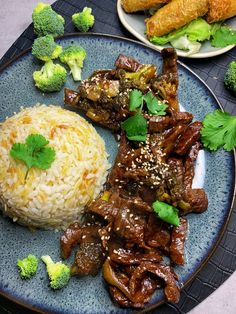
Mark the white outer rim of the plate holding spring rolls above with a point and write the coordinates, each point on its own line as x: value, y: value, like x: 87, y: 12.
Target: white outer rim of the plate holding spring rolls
x: 180, y: 53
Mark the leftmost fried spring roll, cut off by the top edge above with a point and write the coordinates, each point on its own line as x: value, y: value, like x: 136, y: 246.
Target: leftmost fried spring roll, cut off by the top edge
x: 140, y: 5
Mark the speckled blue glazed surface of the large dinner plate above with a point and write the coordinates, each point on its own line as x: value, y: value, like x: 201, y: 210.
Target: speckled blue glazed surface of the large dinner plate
x: 89, y: 295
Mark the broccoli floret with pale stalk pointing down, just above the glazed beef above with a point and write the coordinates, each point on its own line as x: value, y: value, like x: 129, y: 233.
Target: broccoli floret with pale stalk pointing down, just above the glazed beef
x: 74, y: 56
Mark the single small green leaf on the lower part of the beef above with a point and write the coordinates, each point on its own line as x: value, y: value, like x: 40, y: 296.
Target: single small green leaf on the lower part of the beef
x: 166, y: 212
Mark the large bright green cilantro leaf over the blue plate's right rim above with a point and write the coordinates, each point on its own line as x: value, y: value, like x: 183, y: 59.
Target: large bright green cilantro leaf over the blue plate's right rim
x: 219, y: 130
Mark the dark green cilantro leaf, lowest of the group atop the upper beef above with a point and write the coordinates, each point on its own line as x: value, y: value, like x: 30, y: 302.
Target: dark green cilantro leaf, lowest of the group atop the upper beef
x: 135, y: 127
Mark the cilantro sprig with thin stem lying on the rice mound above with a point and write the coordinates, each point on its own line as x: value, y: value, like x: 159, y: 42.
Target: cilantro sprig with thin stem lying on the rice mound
x: 34, y: 153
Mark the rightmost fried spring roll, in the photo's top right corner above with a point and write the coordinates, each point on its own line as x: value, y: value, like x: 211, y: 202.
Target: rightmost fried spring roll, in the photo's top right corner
x: 220, y: 10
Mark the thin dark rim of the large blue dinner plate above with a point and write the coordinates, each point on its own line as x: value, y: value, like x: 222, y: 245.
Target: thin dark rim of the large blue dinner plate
x: 214, y: 245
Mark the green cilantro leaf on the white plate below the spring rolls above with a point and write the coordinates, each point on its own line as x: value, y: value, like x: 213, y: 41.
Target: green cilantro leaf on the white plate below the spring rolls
x: 223, y: 37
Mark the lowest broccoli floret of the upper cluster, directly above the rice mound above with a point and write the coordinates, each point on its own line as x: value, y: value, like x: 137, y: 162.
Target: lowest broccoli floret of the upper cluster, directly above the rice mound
x: 51, y: 77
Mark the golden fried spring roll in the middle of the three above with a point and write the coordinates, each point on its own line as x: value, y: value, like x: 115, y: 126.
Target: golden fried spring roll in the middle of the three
x: 174, y: 15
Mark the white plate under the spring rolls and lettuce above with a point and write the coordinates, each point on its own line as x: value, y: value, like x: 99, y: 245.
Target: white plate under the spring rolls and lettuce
x: 134, y: 23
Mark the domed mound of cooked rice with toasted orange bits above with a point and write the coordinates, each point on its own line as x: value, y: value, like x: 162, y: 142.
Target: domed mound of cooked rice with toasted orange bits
x: 55, y: 197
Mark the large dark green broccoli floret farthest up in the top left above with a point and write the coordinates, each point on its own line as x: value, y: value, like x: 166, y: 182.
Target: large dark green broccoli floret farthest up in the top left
x: 47, y: 21
